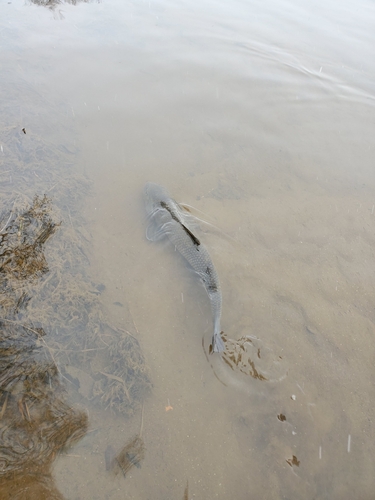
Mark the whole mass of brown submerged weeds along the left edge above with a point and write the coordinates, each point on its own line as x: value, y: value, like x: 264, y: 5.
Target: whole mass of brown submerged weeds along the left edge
x: 53, y: 327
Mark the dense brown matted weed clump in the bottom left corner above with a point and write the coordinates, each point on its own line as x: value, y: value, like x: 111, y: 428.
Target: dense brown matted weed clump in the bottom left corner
x: 35, y: 420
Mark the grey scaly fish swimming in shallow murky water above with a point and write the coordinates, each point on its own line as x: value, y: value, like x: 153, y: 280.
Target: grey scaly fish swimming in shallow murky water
x: 169, y: 220
